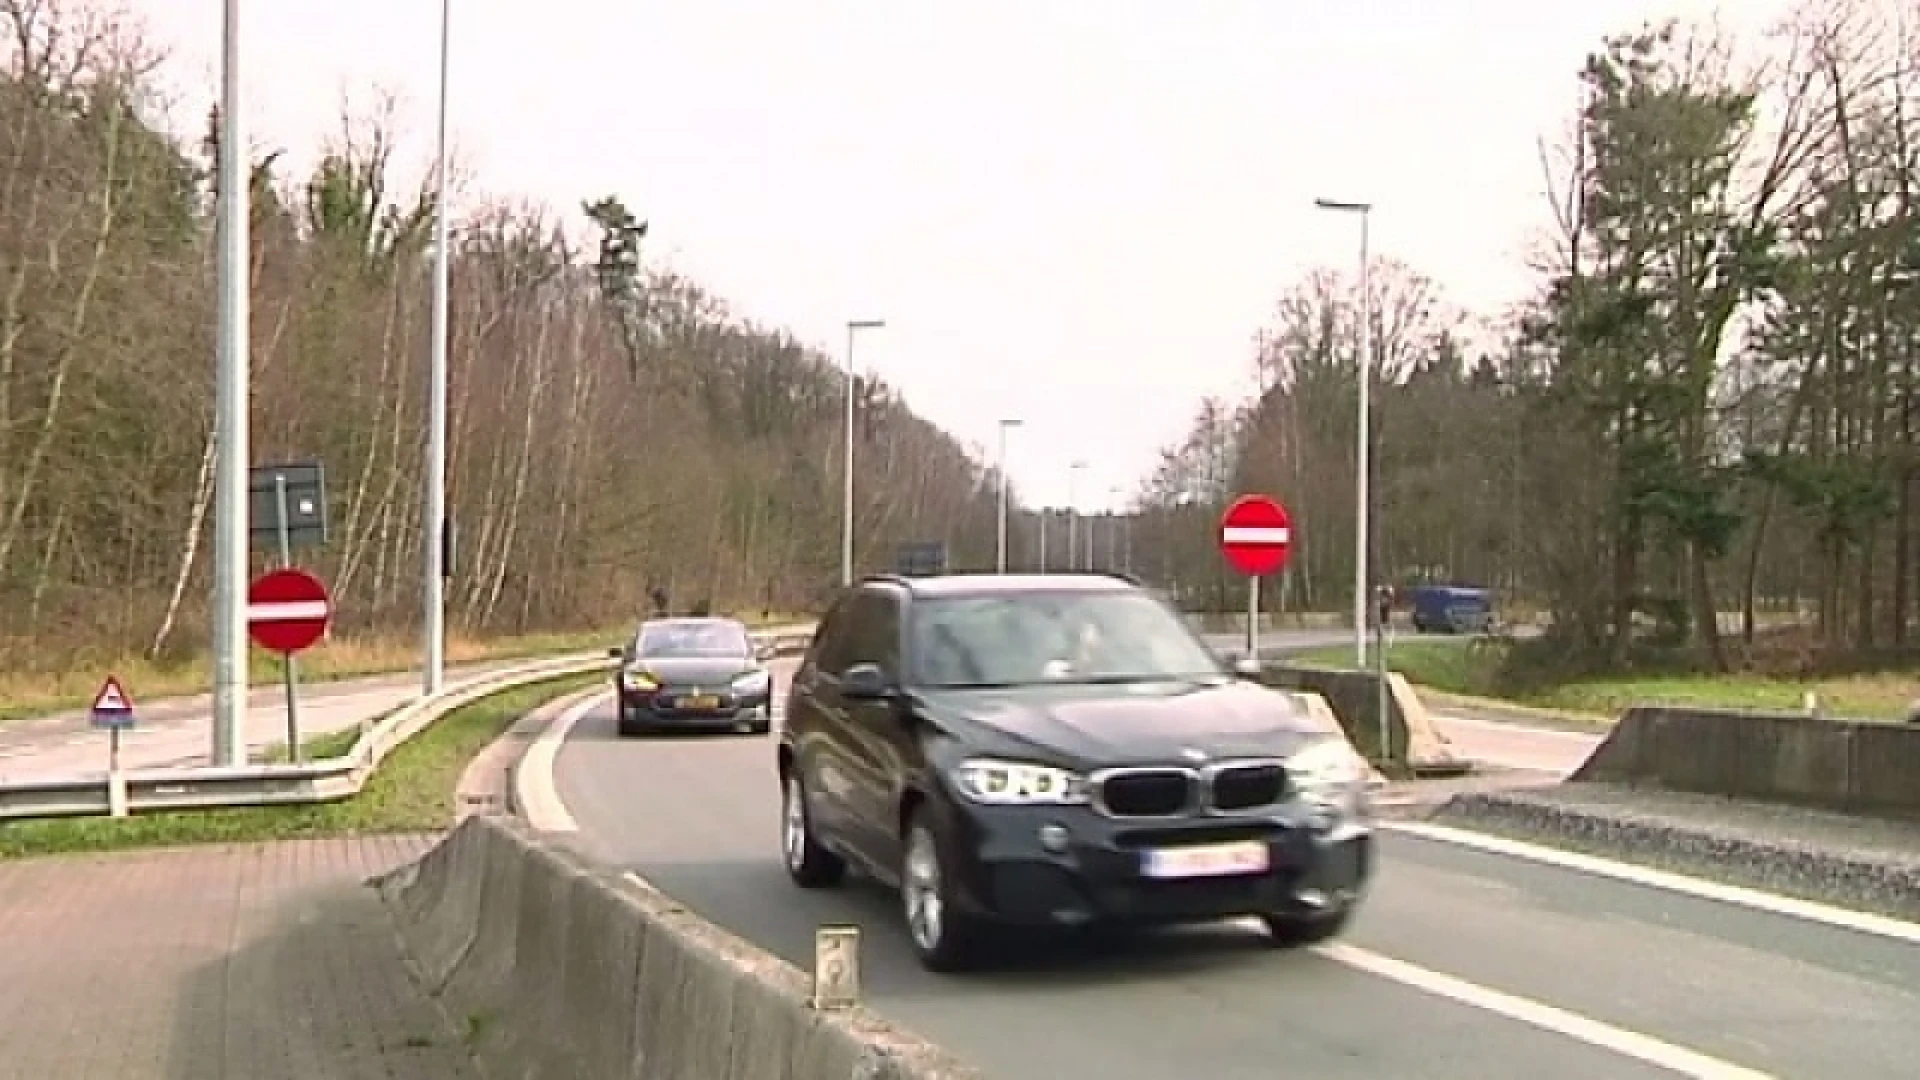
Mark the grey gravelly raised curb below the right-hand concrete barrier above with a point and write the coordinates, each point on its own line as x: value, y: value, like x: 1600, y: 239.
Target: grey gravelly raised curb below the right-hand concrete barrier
x: 1669, y: 845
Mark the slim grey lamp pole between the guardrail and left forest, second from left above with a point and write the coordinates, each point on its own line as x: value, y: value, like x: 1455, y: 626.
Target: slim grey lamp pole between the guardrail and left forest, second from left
x: 435, y: 524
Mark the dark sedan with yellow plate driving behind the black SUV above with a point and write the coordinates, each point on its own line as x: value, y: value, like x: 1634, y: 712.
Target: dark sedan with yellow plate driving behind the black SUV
x: 694, y: 674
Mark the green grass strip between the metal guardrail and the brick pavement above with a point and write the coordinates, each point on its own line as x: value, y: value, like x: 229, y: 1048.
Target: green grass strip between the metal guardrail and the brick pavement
x: 412, y: 791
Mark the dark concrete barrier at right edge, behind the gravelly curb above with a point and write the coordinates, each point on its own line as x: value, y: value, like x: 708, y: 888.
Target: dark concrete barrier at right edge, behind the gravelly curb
x: 1785, y: 758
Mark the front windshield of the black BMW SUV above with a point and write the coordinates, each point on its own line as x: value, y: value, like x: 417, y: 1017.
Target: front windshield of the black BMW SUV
x: 1032, y: 639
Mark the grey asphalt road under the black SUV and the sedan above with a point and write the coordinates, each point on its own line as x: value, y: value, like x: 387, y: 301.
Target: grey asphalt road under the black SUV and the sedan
x: 1464, y: 966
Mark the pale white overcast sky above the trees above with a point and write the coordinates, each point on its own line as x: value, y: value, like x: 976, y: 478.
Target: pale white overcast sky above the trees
x: 1070, y: 212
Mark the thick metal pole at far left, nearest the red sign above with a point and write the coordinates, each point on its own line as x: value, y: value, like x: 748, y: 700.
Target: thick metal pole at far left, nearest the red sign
x: 231, y: 414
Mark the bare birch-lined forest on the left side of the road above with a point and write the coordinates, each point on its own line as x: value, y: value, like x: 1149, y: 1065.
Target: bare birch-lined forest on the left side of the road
x: 613, y: 426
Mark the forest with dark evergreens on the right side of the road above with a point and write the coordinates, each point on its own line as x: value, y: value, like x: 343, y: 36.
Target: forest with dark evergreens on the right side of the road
x: 1694, y: 441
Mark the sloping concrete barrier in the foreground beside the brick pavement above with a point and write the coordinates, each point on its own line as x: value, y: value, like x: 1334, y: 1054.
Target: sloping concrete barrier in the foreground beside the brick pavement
x: 562, y: 970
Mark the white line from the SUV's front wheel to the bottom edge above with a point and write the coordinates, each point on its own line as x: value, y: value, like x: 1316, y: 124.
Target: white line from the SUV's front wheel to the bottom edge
x: 1547, y: 1018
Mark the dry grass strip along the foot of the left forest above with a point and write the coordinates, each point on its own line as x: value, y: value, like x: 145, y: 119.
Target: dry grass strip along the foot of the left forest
x: 51, y: 691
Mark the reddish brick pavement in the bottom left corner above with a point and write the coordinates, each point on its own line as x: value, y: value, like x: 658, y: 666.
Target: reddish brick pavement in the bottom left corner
x: 262, y: 962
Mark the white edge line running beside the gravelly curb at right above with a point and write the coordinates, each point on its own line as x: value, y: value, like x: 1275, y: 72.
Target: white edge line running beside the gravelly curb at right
x: 1773, y: 904
